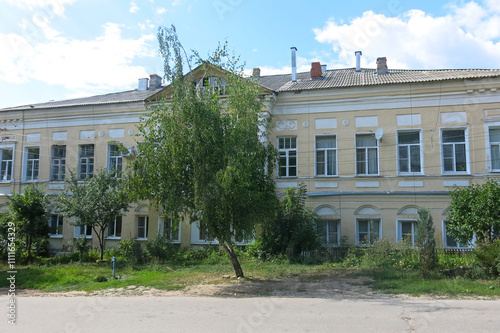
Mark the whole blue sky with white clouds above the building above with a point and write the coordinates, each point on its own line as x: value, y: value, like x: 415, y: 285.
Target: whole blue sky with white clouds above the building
x: 63, y: 49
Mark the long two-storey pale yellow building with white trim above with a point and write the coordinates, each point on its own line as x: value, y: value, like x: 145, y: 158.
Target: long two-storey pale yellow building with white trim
x: 371, y: 145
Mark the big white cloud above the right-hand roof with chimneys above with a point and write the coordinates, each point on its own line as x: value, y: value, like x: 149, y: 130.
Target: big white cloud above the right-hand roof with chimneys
x: 463, y: 38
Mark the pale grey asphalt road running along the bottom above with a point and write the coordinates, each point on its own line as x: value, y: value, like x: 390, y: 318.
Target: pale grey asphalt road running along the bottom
x: 257, y: 314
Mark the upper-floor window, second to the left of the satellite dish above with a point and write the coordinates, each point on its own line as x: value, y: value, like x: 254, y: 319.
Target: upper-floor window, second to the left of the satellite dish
x: 326, y: 156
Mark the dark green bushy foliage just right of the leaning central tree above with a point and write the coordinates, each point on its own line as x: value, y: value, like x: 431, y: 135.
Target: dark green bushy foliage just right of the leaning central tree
x: 293, y: 228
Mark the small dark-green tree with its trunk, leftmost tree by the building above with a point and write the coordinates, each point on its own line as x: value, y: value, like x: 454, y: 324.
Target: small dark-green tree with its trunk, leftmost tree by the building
x: 28, y: 210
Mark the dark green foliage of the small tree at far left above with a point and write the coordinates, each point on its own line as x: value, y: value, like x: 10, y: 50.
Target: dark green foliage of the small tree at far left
x: 28, y: 215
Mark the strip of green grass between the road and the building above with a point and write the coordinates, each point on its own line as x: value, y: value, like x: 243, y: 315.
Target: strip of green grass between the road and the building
x: 176, y: 276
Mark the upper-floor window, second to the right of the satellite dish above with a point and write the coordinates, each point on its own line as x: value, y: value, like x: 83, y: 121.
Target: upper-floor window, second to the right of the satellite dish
x: 454, y: 150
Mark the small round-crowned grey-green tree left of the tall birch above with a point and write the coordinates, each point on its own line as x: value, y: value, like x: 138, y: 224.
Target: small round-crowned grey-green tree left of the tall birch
x: 95, y: 203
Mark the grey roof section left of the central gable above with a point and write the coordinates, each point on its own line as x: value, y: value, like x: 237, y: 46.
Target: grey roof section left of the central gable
x: 112, y: 98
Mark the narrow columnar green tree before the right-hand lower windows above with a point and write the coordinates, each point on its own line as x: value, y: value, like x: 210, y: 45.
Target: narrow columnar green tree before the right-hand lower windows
x: 425, y: 241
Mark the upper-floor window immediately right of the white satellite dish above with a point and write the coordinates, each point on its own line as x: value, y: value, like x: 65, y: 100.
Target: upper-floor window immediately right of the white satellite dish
x: 409, y: 152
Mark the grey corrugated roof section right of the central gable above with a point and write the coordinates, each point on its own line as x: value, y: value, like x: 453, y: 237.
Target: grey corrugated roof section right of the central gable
x: 348, y: 77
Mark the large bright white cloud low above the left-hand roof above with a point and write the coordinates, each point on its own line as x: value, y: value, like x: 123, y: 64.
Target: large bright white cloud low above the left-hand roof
x: 104, y: 63
